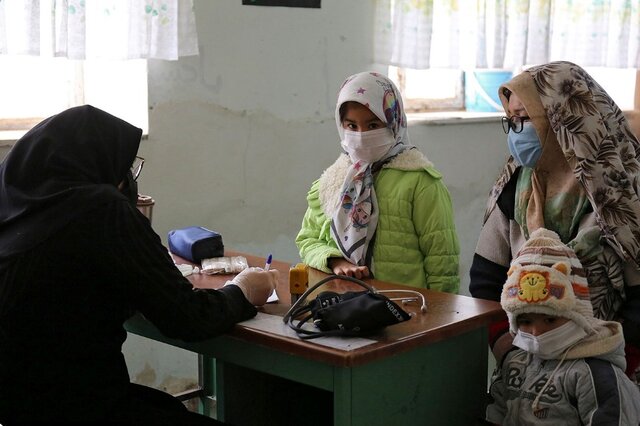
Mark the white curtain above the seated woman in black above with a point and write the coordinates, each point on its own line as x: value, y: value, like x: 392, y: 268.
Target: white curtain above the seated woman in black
x: 98, y: 29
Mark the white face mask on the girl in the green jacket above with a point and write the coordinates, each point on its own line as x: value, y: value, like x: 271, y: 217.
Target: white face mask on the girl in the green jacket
x: 368, y: 147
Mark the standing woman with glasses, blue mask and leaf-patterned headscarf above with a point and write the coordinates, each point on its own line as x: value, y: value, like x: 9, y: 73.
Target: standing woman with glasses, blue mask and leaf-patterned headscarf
x: 573, y: 169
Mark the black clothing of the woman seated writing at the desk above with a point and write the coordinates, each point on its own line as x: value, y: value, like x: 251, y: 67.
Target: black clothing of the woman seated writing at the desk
x: 65, y: 296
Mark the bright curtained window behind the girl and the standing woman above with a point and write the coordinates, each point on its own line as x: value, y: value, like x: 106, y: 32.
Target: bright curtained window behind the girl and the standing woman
x: 497, y: 35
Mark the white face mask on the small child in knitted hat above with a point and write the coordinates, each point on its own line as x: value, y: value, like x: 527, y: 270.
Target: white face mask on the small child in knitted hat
x: 553, y: 343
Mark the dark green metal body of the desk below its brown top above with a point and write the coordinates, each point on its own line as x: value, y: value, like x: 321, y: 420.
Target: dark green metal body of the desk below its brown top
x: 443, y: 383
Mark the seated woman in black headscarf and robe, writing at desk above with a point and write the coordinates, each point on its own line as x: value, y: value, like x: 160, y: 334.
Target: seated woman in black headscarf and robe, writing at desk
x: 76, y: 260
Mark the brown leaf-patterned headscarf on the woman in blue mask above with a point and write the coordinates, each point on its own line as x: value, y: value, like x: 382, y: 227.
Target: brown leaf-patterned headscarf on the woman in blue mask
x: 588, y: 153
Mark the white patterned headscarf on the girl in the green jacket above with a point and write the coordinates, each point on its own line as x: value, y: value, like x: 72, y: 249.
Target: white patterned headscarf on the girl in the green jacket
x: 355, y: 220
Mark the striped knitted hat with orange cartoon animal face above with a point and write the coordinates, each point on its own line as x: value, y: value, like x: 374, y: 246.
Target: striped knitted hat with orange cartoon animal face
x: 546, y: 277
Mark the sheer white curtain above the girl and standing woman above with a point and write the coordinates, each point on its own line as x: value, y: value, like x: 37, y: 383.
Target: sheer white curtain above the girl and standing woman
x: 509, y: 34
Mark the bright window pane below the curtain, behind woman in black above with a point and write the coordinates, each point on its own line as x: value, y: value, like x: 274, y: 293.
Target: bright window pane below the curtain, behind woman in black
x: 34, y: 88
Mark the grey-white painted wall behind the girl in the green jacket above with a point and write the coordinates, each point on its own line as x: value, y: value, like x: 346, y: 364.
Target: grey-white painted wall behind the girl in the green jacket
x: 238, y: 134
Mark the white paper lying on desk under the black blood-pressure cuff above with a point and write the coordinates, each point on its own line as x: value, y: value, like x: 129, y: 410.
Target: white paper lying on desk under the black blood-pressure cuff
x: 273, y: 324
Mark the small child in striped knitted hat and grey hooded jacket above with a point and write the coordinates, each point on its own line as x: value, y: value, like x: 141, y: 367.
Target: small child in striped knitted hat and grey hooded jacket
x: 566, y: 367
